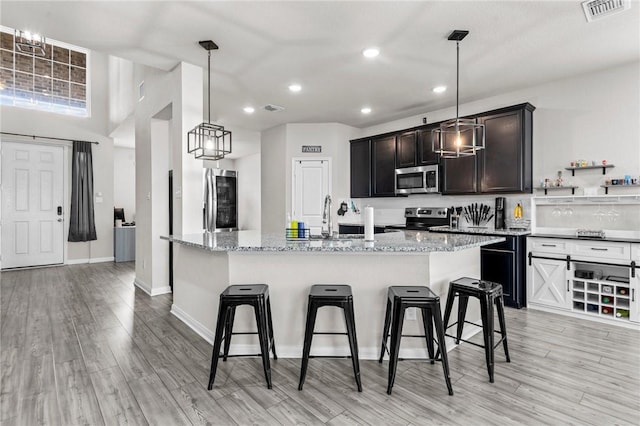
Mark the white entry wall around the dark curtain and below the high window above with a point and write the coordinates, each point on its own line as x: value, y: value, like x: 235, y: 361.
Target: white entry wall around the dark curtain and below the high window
x: 93, y: 128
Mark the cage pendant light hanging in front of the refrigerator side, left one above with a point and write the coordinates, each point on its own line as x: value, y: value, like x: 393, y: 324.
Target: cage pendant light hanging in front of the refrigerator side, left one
x: 209, y: 141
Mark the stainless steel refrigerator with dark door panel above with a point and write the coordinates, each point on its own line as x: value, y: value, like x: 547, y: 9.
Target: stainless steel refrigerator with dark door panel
x: 220, y: 200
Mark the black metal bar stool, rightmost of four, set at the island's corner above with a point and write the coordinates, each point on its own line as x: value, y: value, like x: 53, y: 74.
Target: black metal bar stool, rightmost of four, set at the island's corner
x: 488, y: 293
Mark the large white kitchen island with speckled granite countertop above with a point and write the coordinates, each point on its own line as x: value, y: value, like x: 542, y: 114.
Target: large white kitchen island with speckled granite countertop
x: 205, y: 264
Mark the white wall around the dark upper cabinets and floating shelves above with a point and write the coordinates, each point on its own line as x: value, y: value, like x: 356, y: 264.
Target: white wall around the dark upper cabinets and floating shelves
x: 590, y: 116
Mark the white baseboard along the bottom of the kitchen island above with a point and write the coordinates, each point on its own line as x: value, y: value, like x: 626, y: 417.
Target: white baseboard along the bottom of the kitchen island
x: 296, y: 352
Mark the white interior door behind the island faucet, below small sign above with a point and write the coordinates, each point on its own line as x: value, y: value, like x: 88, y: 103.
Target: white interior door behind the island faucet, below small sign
x: 310, y: 186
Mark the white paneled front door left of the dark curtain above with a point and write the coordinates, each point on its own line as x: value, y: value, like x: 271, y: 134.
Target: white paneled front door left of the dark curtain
x: 32, y: 202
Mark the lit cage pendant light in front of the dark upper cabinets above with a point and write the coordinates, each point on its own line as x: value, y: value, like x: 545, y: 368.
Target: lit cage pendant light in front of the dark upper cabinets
x: 458, y: 138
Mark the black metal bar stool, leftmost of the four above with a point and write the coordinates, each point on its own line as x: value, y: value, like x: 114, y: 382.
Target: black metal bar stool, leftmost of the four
x: 256, y: 295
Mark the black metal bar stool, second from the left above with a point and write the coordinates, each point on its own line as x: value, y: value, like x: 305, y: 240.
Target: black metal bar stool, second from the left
x: 330, y: 295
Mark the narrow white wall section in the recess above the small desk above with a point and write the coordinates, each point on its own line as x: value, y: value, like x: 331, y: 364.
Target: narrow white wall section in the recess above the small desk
x: 124, y: 181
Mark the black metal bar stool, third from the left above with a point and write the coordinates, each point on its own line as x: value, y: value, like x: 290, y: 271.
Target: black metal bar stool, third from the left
x: 399, y: 298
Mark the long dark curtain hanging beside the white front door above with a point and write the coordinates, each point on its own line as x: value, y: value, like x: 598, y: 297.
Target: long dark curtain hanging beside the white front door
x: 82, y: 226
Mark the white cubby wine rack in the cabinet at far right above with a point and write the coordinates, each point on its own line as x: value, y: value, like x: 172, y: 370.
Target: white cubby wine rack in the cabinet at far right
x: 607, y: 296
